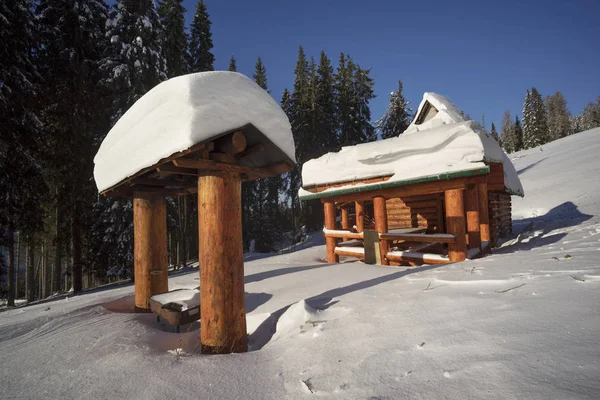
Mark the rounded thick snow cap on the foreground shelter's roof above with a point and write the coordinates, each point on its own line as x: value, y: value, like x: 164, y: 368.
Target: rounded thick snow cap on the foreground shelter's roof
x: 182, y: 112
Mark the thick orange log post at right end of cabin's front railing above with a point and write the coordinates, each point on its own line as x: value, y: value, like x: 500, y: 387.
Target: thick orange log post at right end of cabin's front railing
x: 455, y: 224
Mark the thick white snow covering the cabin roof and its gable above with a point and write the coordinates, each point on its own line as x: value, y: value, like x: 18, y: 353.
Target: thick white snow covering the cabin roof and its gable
x: 449, y: 146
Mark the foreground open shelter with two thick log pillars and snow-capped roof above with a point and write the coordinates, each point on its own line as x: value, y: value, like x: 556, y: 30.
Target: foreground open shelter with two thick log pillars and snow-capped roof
x: 228, y: 130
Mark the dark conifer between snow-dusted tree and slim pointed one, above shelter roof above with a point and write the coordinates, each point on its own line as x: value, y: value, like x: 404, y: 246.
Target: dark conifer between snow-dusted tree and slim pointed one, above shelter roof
x: 172, y: 17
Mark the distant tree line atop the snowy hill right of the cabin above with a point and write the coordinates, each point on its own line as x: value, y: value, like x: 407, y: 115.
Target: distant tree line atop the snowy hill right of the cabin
x: 544, y: 120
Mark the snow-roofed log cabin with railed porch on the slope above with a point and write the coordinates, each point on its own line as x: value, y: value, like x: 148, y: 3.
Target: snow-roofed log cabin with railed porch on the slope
x: 438, y: 193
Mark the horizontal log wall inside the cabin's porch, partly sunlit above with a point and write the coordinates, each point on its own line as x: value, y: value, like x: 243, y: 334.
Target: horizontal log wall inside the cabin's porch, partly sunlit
x: 416, y: 212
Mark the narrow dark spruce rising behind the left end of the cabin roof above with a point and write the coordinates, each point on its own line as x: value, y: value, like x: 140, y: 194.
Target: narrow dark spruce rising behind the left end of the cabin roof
x: 325, y: 105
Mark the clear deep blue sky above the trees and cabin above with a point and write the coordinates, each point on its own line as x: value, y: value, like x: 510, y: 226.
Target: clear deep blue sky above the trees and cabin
x: 482, y: 54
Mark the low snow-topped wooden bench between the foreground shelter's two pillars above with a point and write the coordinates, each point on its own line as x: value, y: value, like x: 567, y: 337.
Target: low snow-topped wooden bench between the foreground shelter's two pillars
x: 177, y: 307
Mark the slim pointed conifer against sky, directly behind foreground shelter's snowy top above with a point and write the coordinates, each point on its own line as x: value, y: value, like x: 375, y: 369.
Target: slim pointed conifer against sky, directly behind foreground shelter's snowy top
x: 201, y: 41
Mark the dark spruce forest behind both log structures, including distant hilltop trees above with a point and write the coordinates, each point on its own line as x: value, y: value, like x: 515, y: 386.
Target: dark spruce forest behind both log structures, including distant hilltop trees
x: 70, y: 70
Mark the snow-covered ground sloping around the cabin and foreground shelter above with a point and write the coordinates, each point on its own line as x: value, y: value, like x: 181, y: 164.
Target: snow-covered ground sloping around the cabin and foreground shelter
x: 521, y: 323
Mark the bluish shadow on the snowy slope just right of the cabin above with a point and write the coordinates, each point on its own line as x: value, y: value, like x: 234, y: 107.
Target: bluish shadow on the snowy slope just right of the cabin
x: 530, y: 233
